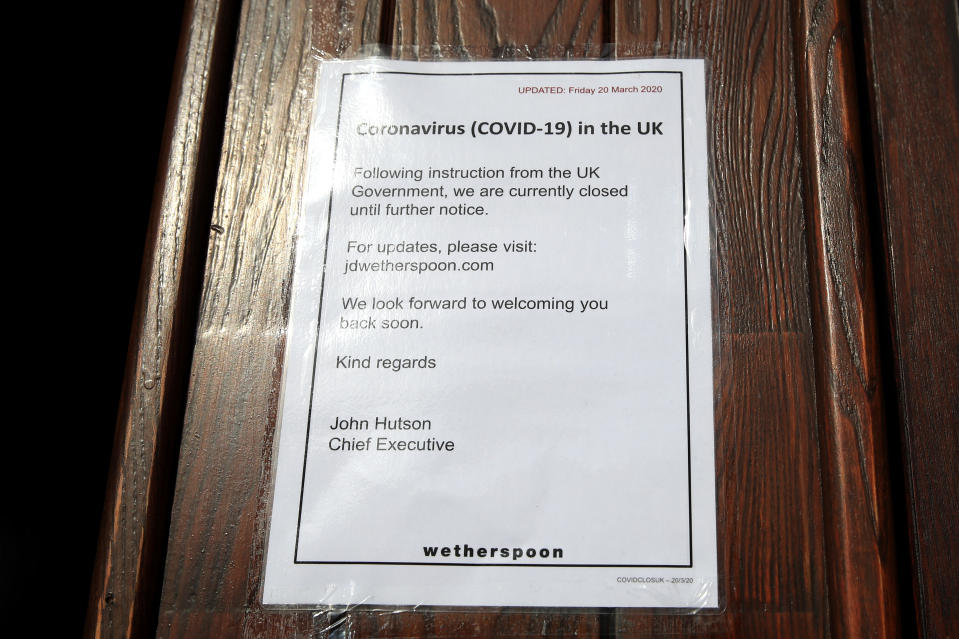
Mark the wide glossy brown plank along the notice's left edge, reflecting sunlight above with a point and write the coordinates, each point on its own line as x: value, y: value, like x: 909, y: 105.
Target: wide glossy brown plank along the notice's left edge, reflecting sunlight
x: 216, y: 544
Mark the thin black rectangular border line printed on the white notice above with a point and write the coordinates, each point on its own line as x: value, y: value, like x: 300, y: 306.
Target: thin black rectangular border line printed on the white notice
x: 682, y: 106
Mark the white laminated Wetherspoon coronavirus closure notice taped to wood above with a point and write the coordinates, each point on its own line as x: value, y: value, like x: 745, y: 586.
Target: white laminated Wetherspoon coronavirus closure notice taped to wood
x: 497, y: 388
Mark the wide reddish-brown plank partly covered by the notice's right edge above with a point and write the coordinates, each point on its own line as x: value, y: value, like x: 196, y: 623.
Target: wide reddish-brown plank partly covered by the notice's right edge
x: 772, y: 557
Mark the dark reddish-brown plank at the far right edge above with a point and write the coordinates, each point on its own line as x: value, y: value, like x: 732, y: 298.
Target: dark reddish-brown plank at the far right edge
x: 912, y: 64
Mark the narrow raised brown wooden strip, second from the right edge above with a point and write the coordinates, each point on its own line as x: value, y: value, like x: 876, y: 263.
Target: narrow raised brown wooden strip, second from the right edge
x: 858, y: 518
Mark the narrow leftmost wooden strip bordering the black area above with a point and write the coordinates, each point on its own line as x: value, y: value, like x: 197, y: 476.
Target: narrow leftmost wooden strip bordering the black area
x: 128, y: 569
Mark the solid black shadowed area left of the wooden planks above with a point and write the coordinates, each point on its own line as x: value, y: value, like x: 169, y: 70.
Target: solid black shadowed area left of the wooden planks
x: 92, y: 83
